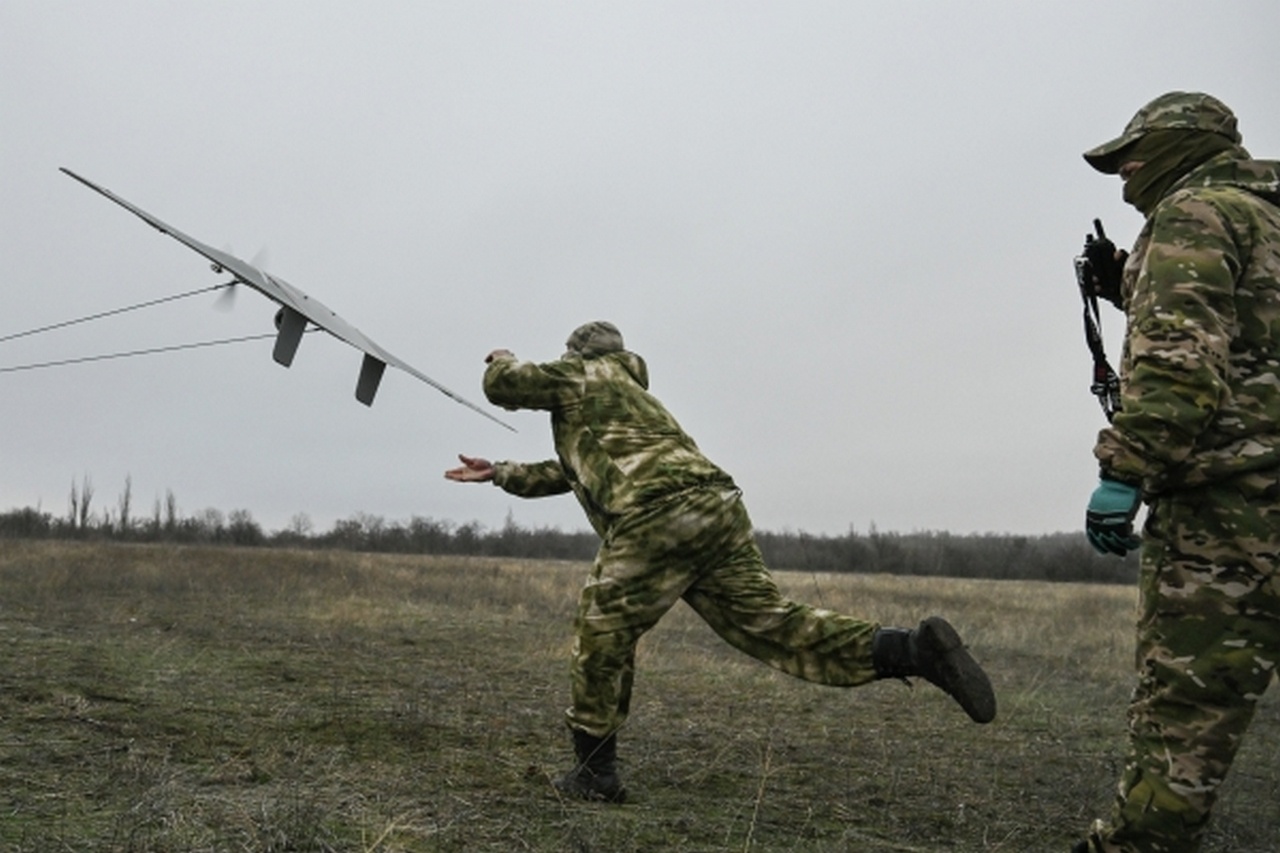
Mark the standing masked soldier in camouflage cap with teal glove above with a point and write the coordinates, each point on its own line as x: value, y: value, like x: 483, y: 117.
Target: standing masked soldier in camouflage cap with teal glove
x: 1199, y: 440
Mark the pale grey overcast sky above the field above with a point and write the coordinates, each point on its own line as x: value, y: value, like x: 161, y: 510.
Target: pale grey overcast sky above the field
x: 842, y: 235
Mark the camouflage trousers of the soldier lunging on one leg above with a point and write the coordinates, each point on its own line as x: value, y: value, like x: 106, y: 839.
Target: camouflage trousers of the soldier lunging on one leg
x: 698, y: 548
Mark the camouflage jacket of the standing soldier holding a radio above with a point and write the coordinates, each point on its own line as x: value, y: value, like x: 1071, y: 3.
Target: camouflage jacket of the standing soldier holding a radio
x: 1201, y: 364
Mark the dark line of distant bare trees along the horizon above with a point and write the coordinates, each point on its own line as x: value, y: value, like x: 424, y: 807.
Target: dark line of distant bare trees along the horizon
x: 1059, y: 556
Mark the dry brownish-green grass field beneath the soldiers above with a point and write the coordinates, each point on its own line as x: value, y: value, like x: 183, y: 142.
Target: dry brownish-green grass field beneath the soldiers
x: 181, y: 699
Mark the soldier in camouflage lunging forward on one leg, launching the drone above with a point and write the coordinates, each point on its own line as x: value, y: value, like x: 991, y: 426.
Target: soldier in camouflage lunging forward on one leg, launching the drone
x: 674, y: 527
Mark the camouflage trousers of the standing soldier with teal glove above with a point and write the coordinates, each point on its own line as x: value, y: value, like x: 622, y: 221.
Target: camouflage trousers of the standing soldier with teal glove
x: 1209, y: 640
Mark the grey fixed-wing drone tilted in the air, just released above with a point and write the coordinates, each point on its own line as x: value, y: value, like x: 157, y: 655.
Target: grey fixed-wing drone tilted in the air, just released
x: 298, y: 309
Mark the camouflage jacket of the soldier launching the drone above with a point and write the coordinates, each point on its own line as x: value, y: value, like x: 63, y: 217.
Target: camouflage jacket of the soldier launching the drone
x: 618, y: 446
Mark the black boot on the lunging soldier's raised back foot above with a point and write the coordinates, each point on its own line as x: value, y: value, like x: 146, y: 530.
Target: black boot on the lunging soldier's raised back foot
x: 935, y: 653
